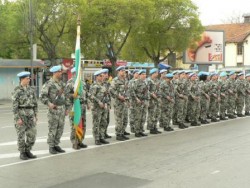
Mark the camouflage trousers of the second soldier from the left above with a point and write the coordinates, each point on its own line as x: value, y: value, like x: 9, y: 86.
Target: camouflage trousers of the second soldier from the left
x: 56, y: 121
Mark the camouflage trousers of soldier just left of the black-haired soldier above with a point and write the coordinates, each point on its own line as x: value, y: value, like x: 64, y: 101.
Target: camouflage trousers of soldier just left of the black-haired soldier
x: 194, y: 110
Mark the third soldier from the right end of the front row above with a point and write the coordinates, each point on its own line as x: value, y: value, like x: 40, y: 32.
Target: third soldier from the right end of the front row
x: 231, y: 95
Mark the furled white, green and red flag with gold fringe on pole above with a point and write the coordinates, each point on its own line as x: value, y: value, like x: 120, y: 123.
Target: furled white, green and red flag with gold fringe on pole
x: 78, y: 88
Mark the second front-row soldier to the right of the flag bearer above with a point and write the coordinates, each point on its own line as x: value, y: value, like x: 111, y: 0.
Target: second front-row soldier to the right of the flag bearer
x: 118, y: 91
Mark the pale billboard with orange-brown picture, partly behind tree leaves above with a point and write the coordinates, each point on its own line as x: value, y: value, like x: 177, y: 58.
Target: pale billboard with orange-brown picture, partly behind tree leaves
x: 209, y: 50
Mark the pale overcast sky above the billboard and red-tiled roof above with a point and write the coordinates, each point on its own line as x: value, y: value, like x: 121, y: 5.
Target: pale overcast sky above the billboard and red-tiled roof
x: 219, y: 11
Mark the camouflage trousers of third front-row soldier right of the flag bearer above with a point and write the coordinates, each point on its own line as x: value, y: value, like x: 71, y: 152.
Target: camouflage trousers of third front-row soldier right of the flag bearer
x: 140, y: 117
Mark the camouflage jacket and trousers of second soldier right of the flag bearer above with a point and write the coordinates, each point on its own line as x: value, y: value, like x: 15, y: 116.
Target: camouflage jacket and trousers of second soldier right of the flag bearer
x: 119, y: 87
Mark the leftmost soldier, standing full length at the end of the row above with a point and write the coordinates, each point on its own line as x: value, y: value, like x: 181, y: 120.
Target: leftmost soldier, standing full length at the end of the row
x: 25, y: 115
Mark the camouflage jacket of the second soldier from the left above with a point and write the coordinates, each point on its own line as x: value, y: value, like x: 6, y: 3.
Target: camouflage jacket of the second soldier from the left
x: 53, y: 92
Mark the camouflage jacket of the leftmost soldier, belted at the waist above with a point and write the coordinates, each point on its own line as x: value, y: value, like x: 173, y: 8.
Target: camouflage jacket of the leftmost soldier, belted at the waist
x: 24, y: 102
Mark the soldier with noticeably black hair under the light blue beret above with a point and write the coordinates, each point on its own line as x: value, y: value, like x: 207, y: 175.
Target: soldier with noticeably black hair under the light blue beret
x: 204, y: 96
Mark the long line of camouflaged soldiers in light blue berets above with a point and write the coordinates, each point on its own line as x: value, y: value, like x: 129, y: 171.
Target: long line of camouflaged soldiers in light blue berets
x: 161, y: 100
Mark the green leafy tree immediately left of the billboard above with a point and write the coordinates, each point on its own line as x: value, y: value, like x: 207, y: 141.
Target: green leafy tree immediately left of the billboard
x: 173, y: 24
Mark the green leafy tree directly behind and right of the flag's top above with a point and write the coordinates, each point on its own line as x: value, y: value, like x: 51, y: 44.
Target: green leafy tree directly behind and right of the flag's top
x: 108, y: 24
